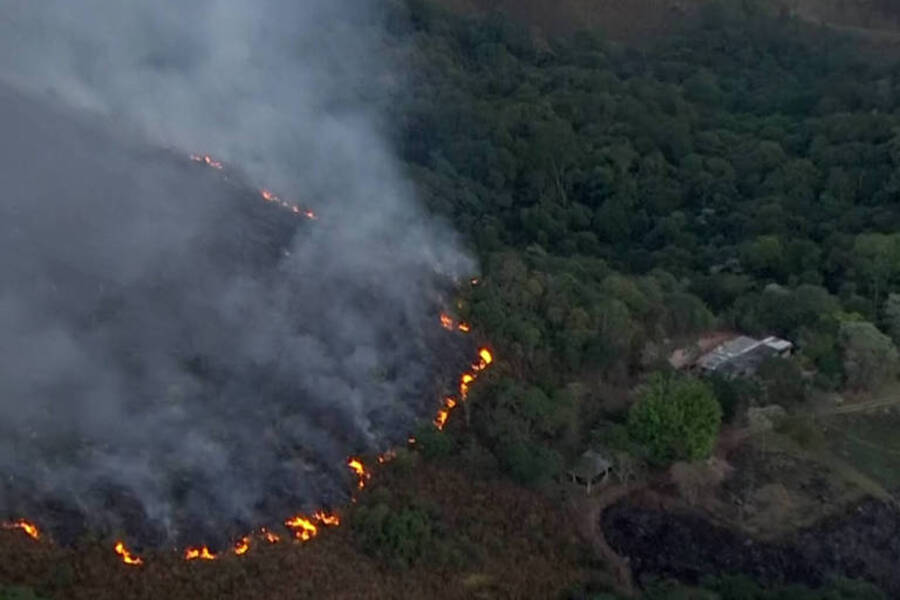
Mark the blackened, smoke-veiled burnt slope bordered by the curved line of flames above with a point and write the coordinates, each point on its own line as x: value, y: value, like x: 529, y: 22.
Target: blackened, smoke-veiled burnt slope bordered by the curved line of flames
x: 179, y: 360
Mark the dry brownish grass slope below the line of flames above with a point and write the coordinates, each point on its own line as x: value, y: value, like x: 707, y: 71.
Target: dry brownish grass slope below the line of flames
x: 511, y: 531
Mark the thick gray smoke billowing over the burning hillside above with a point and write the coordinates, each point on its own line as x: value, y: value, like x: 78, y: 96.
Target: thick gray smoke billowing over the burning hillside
x: 170, y: 346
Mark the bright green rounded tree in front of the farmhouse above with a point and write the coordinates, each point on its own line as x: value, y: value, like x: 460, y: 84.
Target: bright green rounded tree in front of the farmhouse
x: 675, y: 418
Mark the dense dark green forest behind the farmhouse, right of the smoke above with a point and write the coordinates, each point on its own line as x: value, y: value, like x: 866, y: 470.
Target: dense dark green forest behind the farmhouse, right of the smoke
x: 741, y: 175
